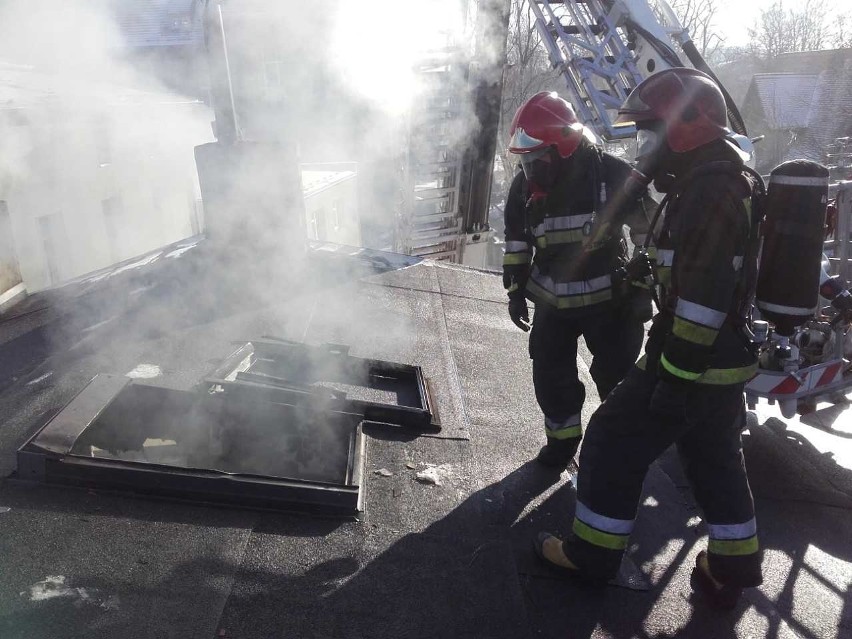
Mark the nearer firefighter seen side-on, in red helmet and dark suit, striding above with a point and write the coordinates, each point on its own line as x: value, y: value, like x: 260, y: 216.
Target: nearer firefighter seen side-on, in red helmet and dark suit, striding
x: 687, y: 389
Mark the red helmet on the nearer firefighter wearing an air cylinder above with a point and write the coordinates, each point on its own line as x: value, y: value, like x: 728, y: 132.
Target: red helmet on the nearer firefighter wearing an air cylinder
x: 688, y: 102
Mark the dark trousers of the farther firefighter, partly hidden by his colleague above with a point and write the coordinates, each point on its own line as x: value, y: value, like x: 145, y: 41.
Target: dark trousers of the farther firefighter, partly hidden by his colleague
x: 614, y: 340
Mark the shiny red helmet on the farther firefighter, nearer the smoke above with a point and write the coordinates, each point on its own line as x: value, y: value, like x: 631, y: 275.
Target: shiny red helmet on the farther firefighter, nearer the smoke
x: 542, y: 121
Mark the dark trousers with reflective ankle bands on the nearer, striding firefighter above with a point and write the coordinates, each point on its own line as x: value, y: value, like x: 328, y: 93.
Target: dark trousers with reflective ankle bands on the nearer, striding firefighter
x: 624, y: 437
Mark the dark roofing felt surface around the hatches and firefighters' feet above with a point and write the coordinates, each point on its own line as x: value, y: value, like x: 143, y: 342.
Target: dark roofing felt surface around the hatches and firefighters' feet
x: 447, y: 560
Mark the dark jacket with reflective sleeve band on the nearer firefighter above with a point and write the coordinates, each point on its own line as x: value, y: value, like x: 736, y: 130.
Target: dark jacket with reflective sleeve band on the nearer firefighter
x: 705, y: 260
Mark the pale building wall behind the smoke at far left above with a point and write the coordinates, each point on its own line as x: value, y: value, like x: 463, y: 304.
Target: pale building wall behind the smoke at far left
x: 138, y: 158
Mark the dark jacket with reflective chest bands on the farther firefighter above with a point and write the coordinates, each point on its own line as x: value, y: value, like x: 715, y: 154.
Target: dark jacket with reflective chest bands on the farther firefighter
x: 549, y: 258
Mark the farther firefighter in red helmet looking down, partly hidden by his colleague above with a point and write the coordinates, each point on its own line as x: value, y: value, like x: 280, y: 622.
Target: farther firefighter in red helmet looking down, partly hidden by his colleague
x: 565, y: 251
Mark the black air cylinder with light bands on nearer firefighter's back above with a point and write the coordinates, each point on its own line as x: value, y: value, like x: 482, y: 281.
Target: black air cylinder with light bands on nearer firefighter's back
x: 793, y: 234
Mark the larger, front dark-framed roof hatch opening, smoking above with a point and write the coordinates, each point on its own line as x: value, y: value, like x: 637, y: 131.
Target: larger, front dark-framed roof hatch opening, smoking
x: 125, y: 436
